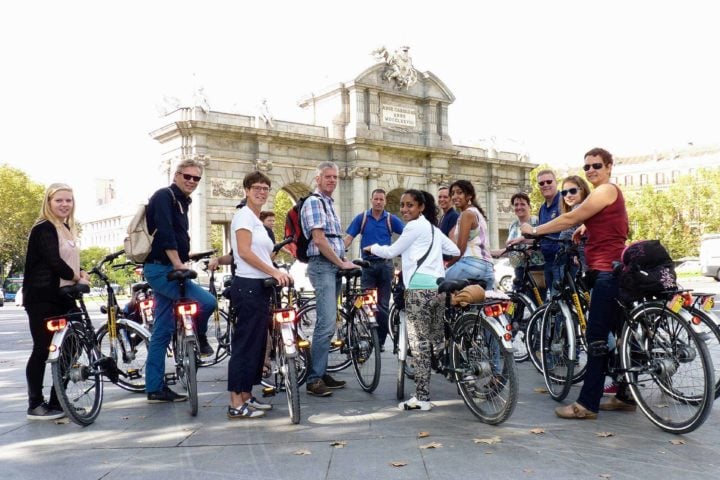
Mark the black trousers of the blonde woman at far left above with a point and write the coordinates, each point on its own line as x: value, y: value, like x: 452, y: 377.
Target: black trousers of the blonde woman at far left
x: 35, y: 369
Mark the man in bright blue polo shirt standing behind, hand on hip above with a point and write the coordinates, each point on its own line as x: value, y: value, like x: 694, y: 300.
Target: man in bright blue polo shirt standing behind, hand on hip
x: 376, y: 227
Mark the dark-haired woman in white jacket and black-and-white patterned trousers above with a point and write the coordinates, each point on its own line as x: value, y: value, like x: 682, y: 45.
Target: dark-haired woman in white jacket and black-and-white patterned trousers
x: 421, y: 246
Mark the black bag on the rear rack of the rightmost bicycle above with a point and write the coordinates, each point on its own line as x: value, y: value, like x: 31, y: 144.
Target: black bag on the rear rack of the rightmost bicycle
x: 647, y: 270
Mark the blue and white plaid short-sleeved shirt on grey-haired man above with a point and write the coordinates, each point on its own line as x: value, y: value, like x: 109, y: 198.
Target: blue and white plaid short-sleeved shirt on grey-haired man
x: 314, y: 216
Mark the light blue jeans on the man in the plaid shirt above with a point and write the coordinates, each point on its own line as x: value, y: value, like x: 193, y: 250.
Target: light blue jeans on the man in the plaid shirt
x: 322, y: 275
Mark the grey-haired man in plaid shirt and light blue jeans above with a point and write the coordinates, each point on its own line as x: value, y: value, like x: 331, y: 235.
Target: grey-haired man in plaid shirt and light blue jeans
x: 321, y: 226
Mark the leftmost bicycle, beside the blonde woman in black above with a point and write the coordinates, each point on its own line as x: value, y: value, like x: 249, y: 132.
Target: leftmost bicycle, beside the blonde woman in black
x: 78, y: 360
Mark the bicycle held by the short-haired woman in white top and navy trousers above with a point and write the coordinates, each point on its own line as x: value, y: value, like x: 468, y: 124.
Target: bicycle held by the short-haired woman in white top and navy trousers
x: 289, y: 353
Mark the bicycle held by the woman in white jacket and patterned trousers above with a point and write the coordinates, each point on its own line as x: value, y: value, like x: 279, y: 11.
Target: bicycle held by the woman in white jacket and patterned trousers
x: 477, y: 355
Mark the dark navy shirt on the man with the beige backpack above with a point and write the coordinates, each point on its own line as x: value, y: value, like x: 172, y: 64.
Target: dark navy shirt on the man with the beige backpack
x: 170, y: 218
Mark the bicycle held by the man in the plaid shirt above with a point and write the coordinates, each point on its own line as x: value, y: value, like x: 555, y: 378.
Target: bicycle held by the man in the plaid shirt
x: 355, y: 340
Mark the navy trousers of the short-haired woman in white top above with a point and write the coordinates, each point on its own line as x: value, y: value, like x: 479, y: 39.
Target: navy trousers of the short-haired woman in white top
x: 251, y: 330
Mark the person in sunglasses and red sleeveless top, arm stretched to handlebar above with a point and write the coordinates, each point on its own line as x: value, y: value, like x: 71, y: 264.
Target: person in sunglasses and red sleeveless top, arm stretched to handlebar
x: 605, y: 223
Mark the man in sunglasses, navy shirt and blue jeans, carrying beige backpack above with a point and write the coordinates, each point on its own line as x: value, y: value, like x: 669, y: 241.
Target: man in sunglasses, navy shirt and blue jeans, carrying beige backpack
x: 167, y: 216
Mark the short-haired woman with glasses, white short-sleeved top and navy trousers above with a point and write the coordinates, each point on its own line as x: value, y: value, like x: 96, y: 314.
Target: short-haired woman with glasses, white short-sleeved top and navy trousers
x: 252, y: 248
